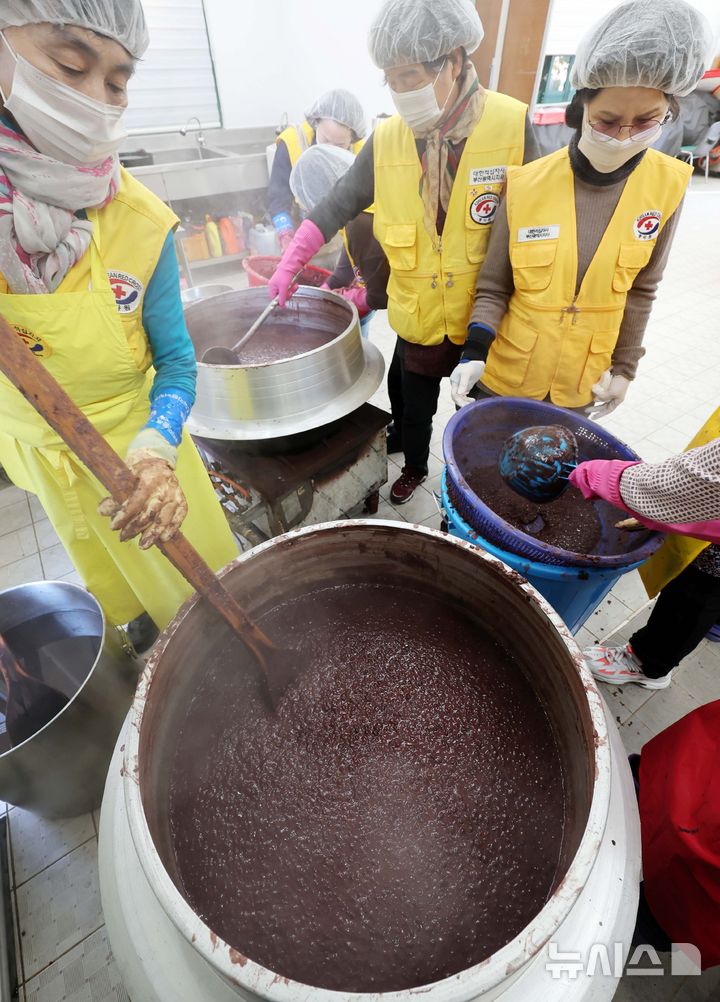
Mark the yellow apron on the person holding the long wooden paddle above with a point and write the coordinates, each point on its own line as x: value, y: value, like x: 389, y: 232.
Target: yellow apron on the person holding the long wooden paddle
x: 83, y: 342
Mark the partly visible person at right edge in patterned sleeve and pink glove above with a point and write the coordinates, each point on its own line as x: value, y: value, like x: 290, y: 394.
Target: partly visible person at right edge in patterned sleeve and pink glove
x: 680, y: 496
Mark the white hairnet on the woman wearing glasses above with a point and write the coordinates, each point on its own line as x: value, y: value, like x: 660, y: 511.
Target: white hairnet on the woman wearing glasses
x: 663, y: 45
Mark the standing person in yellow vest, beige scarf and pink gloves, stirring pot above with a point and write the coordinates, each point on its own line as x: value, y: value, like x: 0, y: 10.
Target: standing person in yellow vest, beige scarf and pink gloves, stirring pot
x: 435, y: 172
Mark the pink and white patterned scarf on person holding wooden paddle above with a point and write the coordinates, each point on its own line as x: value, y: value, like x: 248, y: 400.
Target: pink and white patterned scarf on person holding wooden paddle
x: 41, y: 236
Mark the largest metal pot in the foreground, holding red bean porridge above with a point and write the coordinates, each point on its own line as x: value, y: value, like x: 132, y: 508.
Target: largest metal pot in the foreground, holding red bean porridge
x: 166, y: 951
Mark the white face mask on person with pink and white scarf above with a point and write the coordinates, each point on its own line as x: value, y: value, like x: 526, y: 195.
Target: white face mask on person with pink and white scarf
x: 60, y: 122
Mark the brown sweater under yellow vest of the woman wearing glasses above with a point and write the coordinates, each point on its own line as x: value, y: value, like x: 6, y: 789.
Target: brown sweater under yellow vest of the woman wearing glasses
x: 594, y: 209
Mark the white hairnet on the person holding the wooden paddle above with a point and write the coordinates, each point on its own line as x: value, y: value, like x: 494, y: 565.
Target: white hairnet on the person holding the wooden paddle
x: 122, y: 21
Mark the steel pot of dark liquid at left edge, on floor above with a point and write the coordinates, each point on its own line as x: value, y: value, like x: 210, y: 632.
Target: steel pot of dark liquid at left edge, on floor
x: 60, y: 633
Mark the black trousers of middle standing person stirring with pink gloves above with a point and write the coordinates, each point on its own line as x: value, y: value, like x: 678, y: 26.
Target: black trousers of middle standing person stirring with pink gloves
x: 414, y: 402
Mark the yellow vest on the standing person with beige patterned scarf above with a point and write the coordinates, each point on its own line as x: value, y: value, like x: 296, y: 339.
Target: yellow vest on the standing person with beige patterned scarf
x: 432, y: 283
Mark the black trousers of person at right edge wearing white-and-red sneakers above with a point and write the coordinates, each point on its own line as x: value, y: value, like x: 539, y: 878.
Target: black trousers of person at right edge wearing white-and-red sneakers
x: 684, y: 613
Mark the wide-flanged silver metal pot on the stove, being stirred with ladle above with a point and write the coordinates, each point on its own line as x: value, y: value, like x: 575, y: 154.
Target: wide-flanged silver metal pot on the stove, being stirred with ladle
x: 273, y: 400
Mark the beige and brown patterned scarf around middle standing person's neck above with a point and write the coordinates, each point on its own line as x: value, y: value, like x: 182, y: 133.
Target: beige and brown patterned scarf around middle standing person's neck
x: 440, y: 161
